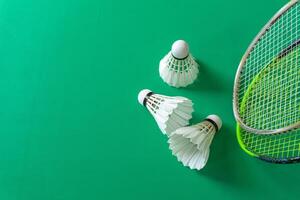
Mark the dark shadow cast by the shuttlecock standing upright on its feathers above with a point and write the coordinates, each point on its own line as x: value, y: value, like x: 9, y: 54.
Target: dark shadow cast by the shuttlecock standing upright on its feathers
x: 206, y: 80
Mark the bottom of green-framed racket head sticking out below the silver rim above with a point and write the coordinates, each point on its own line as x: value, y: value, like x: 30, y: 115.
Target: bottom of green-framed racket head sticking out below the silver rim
x: 276, y: 148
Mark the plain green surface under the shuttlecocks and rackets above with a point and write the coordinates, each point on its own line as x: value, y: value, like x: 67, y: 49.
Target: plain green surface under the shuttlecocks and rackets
x: 71, y: 126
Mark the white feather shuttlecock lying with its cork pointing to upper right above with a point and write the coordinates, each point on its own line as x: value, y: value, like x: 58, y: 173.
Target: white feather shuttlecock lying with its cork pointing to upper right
x: 191, y: 144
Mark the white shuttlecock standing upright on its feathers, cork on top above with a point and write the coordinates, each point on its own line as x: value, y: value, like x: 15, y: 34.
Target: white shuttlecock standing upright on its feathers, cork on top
x: 178, y: 68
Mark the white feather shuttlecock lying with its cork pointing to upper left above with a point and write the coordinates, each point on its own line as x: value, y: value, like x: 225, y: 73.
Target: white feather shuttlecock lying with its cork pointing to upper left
x: 170, y: 113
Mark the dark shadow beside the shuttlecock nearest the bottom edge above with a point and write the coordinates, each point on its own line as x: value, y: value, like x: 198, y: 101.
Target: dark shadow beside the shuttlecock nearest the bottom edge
x: 223, y: 164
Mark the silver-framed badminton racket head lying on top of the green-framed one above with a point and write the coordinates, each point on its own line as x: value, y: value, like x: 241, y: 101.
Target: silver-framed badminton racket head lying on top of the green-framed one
x: 271, y: 54
